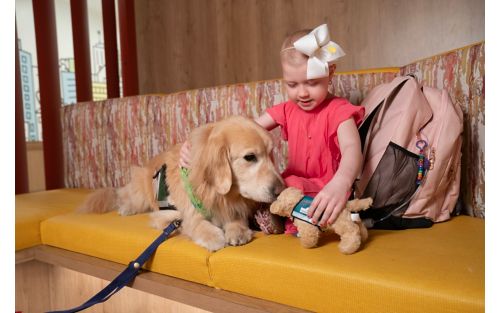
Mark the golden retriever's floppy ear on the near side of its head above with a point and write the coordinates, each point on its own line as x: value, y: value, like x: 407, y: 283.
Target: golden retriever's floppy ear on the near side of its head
x: 211, y: 160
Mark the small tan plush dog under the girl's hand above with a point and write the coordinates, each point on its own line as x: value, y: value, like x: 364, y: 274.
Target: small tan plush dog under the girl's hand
x: 352, y: 233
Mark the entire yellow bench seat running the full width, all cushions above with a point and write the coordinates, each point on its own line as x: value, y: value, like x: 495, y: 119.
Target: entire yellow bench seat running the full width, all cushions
x: 440, y: 269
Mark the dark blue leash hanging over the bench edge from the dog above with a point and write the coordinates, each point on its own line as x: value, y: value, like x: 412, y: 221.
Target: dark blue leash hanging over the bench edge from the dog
x: 128, y: 274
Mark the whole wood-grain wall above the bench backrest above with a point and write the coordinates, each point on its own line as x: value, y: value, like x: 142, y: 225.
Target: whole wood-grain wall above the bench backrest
x: 185, y: 44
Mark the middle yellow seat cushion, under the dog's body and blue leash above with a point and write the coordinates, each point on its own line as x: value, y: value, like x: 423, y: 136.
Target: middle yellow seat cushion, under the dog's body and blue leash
x: 122, y: 238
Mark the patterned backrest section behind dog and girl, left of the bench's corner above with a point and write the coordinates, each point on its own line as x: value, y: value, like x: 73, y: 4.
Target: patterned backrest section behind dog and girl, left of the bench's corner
x: 103, y: 139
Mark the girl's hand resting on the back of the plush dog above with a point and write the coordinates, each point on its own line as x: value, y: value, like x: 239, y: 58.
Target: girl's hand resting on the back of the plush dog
x: 328, y: 203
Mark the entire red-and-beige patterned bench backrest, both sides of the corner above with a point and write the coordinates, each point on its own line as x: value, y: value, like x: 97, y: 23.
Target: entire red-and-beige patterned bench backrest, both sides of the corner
x: 103, y: 139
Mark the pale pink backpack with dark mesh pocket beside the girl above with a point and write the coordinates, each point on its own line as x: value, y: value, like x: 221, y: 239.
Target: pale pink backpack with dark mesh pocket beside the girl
x: 411, y: 139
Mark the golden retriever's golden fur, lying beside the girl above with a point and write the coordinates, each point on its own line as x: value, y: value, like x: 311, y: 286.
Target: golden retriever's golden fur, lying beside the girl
x: 231, y: 170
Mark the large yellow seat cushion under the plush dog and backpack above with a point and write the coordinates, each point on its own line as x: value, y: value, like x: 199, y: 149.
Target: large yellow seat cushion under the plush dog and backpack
x: 440, y: 269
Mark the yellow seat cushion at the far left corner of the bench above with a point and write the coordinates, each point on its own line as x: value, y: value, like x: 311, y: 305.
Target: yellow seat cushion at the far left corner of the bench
x: 33, y: 208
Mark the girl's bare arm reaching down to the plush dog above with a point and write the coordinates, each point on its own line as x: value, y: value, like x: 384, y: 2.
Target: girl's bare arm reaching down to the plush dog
x: 331, y: 200
